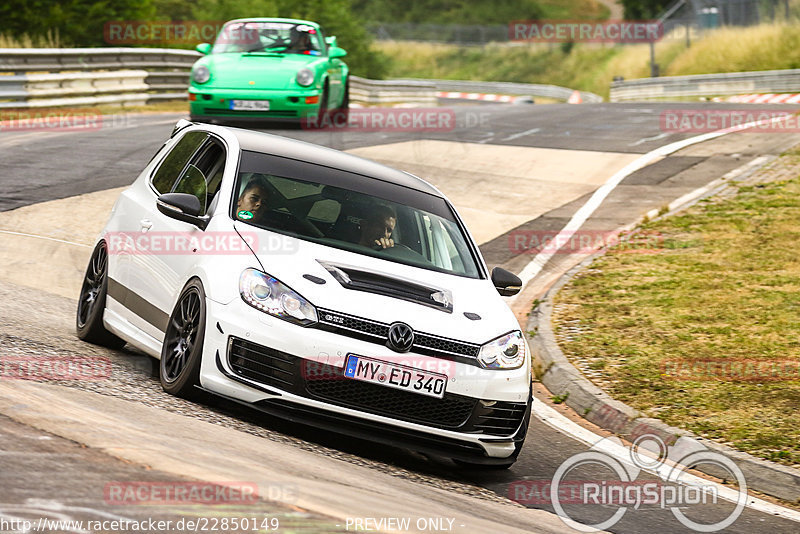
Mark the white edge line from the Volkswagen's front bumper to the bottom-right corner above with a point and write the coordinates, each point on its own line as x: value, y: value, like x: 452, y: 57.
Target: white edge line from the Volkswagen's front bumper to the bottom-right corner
x: 566, y: 426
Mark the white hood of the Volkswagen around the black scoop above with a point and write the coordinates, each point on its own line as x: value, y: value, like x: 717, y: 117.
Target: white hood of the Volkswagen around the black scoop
x: 290, y: 260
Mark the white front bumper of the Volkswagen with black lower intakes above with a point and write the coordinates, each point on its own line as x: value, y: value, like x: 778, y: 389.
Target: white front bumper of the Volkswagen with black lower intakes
x: 296, y: 373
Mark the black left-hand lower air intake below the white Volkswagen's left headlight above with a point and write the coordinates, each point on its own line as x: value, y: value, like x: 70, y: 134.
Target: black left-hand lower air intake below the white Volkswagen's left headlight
x: 264, y: 365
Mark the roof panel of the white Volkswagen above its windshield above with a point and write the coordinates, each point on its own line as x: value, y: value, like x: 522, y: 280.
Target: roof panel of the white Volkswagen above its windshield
x: 328, y: 157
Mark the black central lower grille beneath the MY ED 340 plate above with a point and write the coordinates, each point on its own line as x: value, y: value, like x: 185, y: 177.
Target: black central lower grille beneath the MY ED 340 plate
x: 328, y: 383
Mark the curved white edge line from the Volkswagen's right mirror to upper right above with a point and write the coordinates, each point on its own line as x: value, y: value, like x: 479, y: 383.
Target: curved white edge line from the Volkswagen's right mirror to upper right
x: 533, y: 268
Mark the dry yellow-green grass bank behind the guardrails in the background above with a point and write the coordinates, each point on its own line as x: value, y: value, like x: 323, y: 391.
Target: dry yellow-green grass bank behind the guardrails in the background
x: 591, y: 67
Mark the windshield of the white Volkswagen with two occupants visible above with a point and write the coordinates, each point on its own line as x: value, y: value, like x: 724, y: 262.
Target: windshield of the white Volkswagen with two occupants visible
x: 355, y: 220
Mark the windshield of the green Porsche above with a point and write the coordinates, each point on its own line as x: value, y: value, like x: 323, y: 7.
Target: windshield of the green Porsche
x: 269, y: 37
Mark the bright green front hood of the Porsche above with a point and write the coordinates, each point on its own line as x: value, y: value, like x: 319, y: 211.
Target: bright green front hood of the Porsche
x: 256, y: 71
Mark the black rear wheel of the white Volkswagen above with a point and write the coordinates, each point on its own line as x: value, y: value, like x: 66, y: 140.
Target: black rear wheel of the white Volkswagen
x: 92, y: 302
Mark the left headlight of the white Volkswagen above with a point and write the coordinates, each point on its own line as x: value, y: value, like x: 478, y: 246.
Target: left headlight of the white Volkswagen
x: 267, y: 294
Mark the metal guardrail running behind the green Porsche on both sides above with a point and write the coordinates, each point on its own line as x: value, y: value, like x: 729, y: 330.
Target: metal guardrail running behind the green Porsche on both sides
x: 57, y: 77
